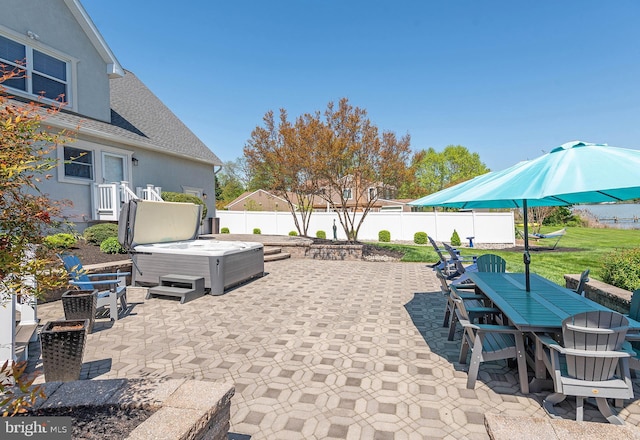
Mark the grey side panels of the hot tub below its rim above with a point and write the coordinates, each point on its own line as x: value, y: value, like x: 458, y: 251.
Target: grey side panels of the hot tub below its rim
x: 220, y: 271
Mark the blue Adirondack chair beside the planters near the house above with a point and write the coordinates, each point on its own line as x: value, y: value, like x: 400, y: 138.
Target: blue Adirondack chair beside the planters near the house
x: 115, y: 284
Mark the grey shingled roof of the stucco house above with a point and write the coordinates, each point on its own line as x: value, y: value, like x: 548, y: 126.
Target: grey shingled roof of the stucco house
x: 139, y: 118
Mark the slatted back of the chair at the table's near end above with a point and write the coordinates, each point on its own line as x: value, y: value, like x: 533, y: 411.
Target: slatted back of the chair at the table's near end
x: 589, y: 332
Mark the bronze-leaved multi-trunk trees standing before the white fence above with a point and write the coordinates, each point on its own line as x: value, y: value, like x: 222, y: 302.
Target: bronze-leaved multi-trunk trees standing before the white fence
x: 339, y: 157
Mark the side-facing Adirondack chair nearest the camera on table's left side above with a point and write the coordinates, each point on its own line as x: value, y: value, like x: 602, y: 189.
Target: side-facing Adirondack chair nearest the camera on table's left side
x: 490, y: 342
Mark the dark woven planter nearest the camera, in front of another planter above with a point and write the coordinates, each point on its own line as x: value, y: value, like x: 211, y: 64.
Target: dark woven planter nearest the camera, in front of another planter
x: 62, y: 345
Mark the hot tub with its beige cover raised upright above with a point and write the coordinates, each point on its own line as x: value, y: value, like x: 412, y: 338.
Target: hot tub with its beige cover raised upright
x: 161, y: 239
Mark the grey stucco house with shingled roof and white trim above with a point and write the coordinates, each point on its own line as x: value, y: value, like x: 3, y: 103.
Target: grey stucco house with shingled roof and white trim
x: 113, y: 115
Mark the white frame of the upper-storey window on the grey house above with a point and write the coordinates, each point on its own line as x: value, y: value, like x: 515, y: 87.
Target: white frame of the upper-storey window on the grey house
x: 30, y: 45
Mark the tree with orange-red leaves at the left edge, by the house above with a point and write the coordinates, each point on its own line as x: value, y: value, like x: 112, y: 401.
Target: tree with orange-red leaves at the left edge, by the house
x: 25, y: 213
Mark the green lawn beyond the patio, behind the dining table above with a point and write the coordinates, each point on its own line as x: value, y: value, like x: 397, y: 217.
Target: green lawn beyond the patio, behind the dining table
x: 587, y: 248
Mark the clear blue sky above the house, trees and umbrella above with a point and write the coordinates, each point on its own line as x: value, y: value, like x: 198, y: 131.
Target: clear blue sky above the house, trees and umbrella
x: 506, y: 79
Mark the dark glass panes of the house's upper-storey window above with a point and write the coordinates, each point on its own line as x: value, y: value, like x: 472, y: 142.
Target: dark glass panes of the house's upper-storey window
x: 38, y: 73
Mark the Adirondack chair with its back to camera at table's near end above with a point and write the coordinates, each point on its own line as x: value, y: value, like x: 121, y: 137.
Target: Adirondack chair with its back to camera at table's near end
x: 593, y: 363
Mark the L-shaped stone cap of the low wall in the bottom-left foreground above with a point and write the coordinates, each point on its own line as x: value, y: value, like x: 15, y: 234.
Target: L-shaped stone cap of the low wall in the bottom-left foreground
x: 185, y: 409
